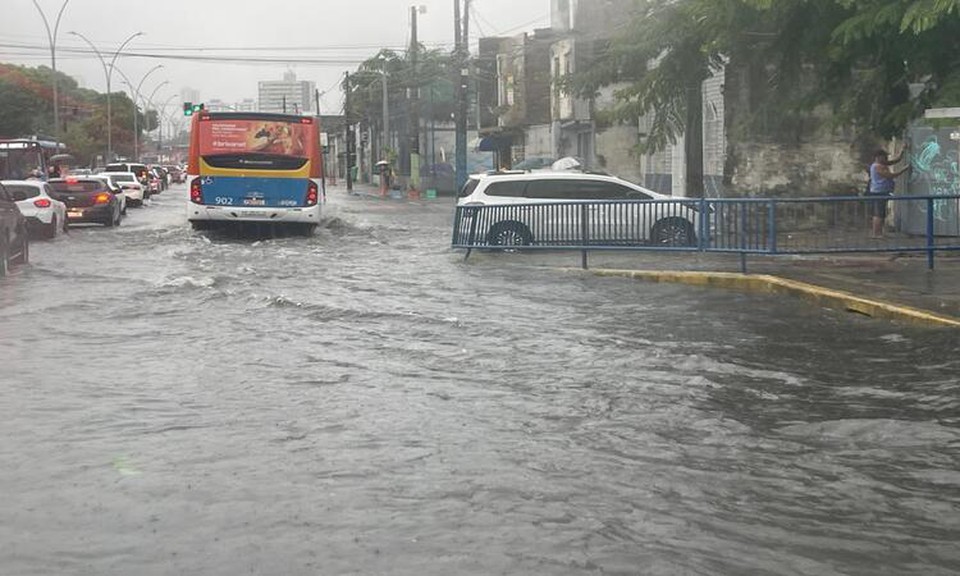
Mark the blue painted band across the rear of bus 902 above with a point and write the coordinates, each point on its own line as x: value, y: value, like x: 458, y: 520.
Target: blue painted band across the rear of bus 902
x: 255, y: 192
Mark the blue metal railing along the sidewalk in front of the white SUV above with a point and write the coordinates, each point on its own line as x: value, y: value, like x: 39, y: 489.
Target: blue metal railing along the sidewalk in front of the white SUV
x: 744, y: 226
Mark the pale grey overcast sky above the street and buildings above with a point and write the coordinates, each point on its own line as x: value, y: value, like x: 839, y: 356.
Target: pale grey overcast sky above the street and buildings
x: 332, y: 29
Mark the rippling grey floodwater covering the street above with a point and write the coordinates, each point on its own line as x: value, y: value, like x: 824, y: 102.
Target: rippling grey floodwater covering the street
x: 366, y: 402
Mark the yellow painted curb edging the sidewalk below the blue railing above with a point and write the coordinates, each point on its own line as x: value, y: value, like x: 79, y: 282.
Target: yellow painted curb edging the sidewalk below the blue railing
x: 776, y: 285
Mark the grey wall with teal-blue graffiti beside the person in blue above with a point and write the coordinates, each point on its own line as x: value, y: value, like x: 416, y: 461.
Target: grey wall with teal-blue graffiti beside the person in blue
x: 935, y: 159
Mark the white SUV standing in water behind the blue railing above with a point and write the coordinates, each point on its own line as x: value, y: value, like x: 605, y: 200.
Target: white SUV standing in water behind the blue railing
x: 579, y: 206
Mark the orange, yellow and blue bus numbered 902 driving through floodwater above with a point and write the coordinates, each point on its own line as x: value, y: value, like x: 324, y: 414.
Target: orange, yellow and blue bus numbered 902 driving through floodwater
x: 254, y: 168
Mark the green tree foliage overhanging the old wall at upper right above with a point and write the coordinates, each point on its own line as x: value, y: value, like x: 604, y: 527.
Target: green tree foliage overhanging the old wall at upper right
x: 876, y: 64
